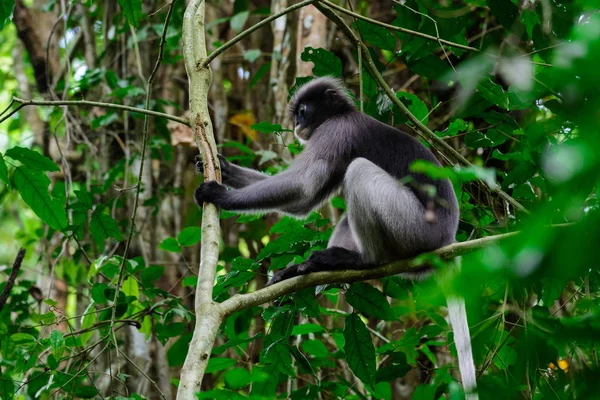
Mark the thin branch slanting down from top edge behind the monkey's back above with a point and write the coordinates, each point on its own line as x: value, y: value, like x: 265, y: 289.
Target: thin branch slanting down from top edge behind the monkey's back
x: 422, y: 130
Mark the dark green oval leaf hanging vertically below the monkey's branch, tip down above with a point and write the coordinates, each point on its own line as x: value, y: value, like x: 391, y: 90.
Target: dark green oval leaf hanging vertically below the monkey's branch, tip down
x: 360, y: 353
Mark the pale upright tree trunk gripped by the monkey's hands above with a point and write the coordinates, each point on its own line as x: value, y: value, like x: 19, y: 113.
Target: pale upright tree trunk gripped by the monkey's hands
x: 208, y: 313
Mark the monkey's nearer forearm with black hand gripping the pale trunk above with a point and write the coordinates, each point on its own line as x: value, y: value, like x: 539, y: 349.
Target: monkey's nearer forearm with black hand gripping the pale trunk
x: 295, y: 191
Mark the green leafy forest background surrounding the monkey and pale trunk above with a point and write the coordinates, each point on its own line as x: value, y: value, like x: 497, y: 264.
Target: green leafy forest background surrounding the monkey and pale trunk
x: 104, y: 105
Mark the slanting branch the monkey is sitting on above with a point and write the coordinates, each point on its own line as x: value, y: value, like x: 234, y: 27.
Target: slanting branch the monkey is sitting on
x: 270, y: 293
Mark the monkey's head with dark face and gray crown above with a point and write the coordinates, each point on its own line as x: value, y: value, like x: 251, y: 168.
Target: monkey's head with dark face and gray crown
x: 316, y: 102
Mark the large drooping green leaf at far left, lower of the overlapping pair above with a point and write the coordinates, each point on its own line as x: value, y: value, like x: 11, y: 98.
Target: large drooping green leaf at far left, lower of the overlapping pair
x: 33, y: 188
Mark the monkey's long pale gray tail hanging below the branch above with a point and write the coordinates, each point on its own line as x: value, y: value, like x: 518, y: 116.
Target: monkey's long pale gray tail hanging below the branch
x: 462, y: 339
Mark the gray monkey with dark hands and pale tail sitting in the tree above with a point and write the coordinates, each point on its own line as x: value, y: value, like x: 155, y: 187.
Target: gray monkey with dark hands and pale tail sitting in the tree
x: 385, y: 220
